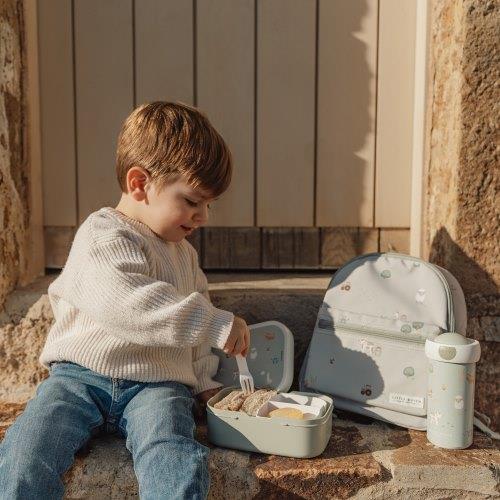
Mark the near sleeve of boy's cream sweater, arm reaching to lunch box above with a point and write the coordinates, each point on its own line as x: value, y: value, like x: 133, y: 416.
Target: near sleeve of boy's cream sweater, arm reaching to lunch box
x: 114, y: 289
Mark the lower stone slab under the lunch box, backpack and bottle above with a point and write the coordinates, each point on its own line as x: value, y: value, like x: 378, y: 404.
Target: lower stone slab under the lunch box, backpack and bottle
x: 363, y: 460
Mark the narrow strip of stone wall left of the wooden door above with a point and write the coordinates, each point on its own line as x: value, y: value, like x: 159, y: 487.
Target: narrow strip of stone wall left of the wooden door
x: 14, y: 163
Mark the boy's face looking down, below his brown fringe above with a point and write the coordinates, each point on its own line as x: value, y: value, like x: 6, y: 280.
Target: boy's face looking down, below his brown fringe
x: 176, y: 210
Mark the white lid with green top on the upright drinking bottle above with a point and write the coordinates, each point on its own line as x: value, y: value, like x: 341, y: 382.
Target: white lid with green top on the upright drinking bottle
x: 452, y: 347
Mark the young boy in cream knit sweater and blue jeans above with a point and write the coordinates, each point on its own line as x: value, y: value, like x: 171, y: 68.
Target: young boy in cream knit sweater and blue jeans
x: 134, y: 326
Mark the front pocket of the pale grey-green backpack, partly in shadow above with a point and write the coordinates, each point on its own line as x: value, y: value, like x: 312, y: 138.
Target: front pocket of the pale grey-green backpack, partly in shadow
x: 371, y: 367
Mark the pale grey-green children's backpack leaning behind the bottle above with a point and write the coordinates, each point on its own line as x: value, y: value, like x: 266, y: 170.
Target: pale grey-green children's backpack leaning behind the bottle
x: 367, y: 348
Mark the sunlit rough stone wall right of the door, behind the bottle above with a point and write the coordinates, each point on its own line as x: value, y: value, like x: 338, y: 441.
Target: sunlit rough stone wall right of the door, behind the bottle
x: 462, y: 181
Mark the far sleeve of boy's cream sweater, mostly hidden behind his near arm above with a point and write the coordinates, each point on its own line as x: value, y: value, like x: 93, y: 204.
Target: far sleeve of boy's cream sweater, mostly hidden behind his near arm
x: 205, y: 363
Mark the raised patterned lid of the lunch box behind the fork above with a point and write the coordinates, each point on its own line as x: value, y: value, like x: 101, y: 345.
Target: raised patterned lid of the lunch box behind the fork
x: 269, y: 359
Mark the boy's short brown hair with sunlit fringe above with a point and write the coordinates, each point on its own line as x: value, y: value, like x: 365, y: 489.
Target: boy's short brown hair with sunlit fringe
x: 172, y: 139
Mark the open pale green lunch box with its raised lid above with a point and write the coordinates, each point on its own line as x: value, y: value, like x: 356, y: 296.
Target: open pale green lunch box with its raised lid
x: 270, y: 361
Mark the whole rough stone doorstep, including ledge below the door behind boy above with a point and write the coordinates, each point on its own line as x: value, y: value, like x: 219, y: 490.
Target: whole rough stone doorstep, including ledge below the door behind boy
x: 364, y: 458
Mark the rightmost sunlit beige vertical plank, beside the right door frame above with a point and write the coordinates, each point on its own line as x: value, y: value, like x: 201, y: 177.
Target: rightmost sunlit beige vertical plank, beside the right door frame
x: 395, y: 113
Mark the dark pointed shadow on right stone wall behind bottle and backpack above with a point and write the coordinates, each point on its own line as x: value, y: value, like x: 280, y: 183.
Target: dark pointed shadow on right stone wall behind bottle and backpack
x: 483, y: 312
